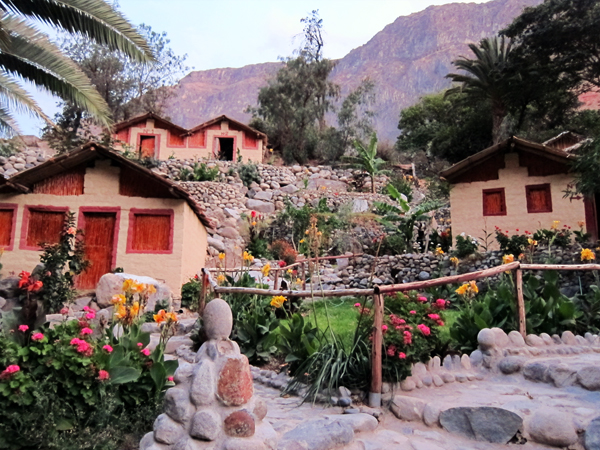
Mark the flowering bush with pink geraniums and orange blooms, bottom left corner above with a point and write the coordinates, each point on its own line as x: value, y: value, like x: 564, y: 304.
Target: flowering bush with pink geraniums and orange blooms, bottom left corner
x: 72, y: 387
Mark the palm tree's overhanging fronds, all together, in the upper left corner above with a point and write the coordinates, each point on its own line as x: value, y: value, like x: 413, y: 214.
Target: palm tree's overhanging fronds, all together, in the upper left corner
x: 26, y: 53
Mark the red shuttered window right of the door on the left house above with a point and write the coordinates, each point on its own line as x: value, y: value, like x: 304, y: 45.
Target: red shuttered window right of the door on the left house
x: 150, y: 231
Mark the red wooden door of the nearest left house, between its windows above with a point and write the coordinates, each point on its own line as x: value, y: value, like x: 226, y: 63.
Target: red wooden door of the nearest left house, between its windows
x: 99, y: 232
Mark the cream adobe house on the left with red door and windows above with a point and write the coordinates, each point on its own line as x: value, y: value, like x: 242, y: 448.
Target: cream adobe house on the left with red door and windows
x: 131, y: 218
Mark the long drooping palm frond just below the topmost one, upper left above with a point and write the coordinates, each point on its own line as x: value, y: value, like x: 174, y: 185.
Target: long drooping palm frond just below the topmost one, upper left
x: 33, y: 57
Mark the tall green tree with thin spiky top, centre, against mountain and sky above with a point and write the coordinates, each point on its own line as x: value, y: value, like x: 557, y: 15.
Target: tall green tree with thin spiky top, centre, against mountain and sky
x: 293, y: 105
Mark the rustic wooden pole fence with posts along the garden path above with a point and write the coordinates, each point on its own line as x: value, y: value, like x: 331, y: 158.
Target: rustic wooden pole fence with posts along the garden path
x: 378, y: 301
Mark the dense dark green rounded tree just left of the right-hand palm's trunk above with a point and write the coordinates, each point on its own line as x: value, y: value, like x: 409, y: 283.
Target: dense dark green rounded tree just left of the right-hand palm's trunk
x: 446, y: 126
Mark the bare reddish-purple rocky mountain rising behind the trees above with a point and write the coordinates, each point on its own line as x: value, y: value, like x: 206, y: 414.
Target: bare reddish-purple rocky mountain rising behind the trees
x: 407, y: 59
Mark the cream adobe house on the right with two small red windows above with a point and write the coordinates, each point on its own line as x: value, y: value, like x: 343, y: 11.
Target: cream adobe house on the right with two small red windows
x: 518, y: 186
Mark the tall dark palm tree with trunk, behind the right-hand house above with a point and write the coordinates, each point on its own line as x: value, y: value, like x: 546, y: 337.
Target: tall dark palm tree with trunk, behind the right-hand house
x: 485, y: 78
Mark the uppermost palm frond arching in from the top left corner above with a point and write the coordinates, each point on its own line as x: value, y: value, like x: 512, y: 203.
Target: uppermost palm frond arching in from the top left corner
x: 95, y: 19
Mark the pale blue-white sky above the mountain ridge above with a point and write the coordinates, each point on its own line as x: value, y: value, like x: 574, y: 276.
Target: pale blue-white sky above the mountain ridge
x: 235, y: 33
